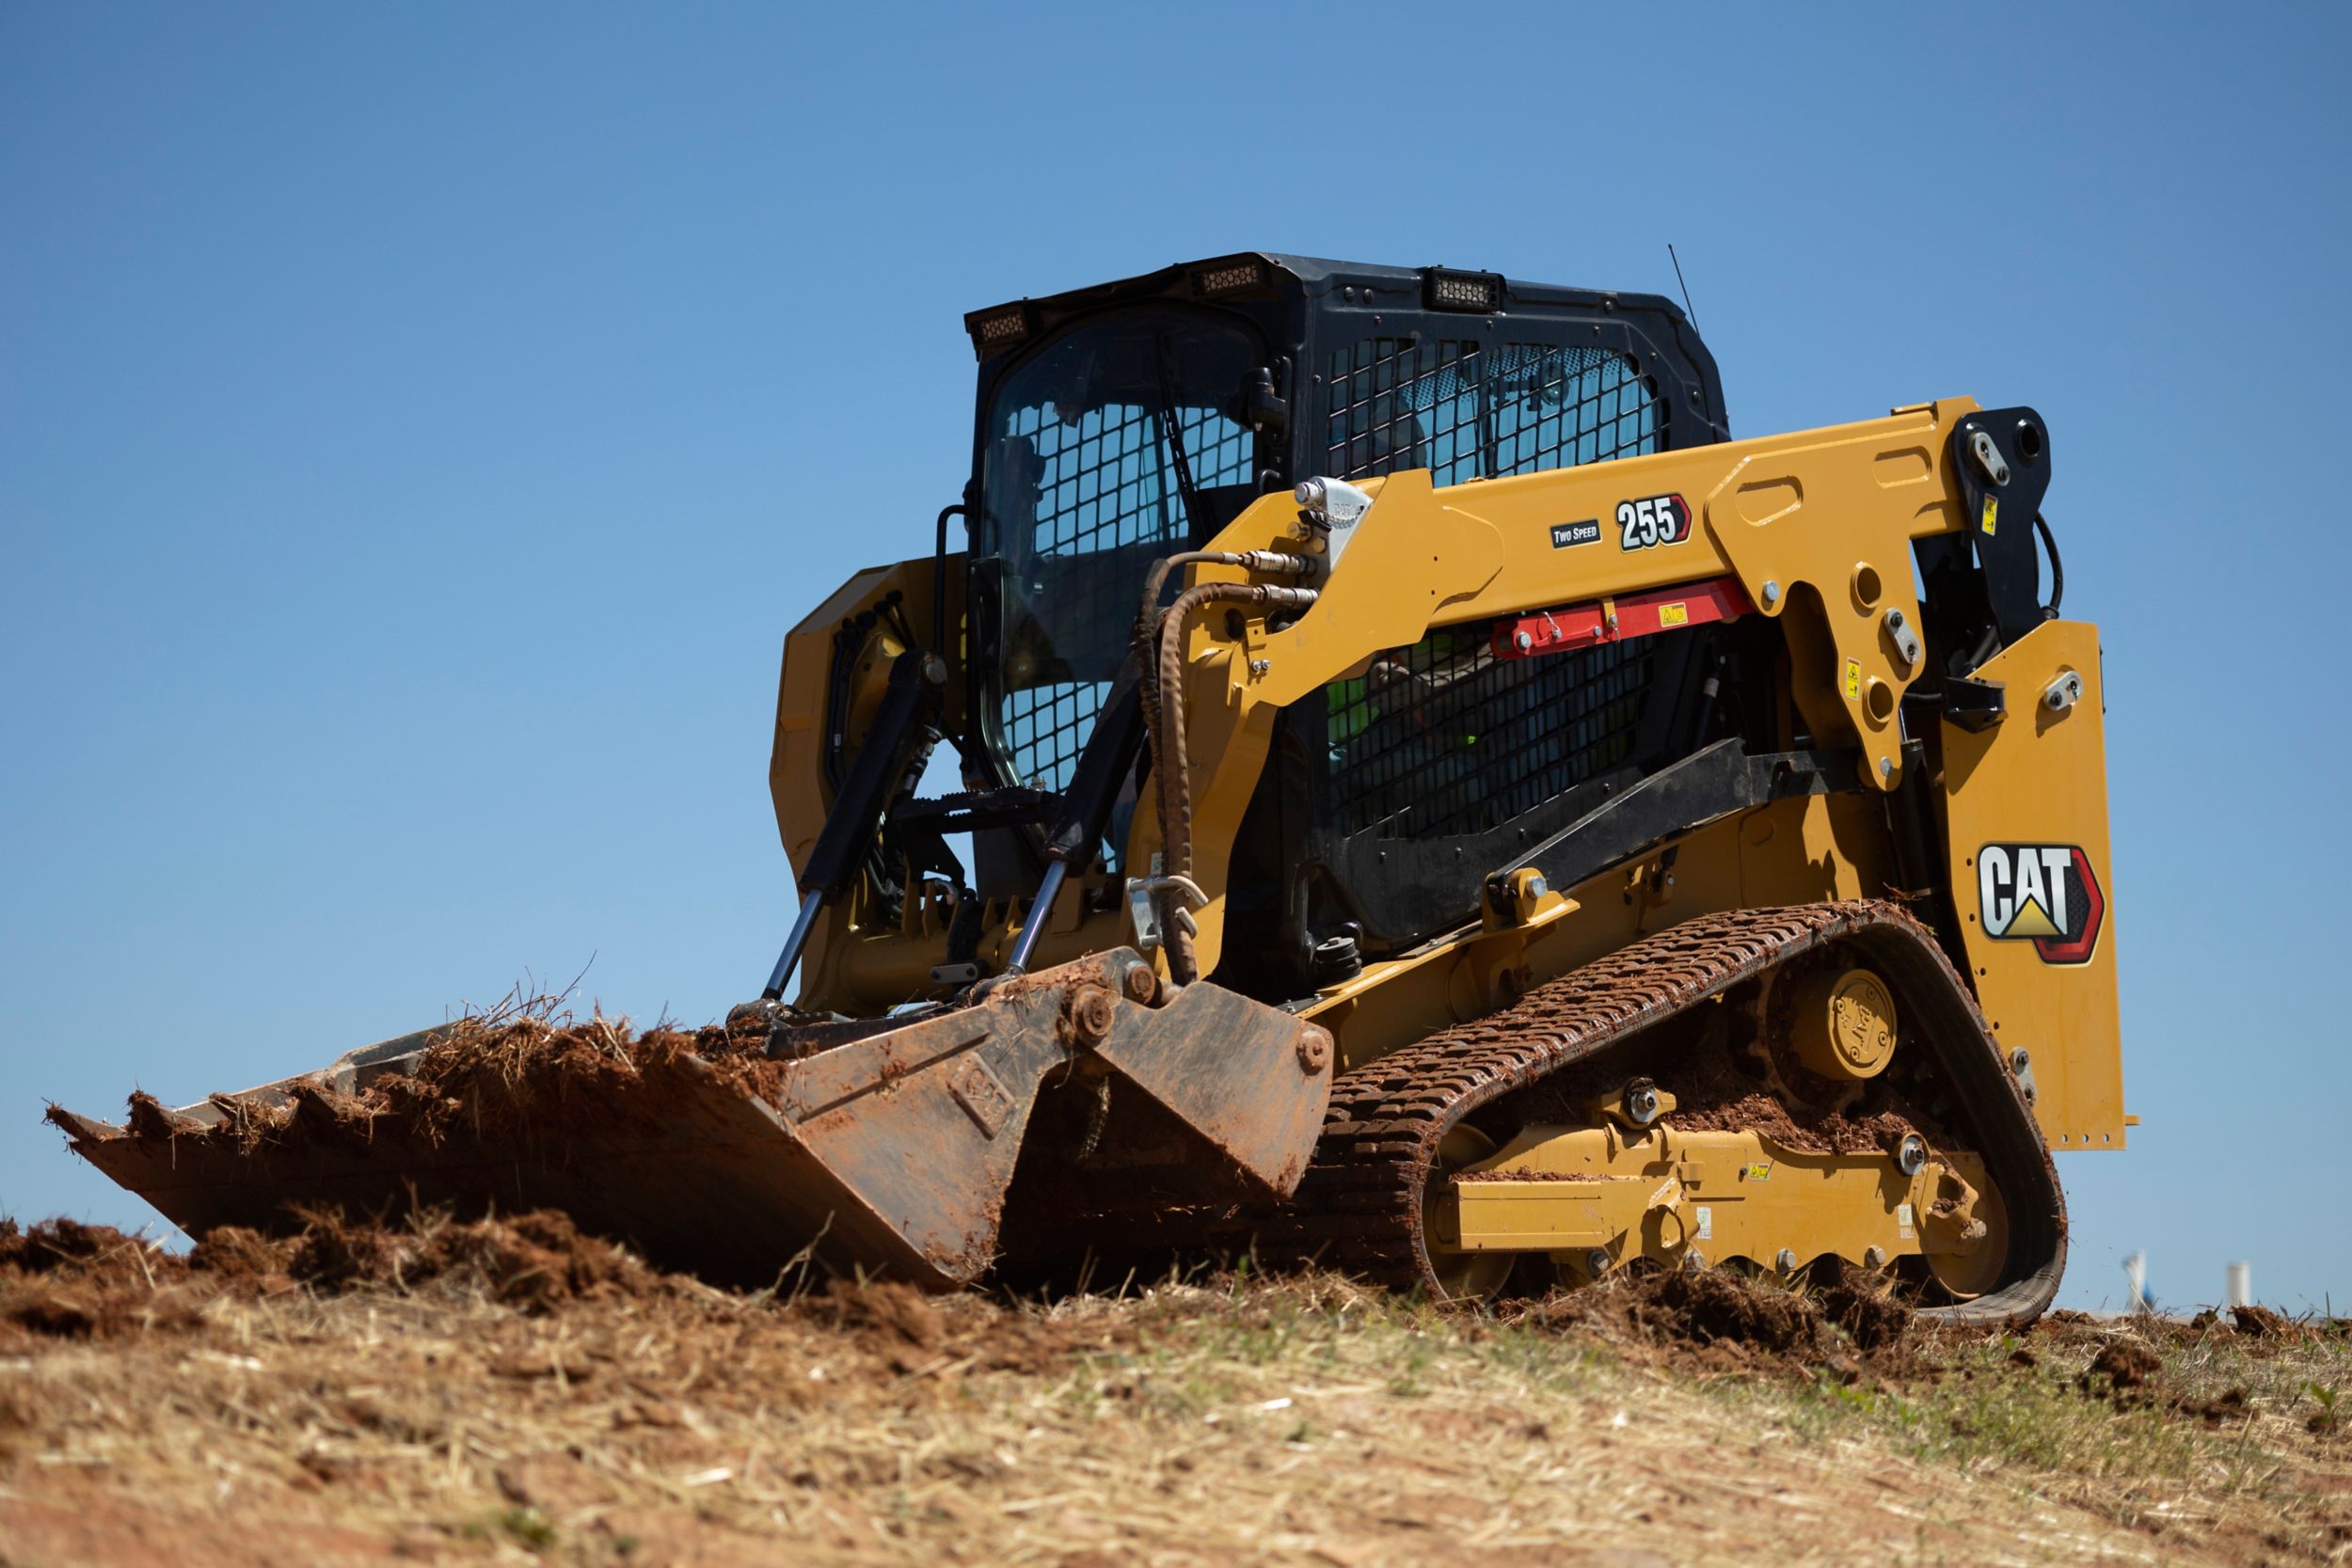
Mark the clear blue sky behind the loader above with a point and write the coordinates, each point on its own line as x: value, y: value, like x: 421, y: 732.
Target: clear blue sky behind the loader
x: 420, y: 427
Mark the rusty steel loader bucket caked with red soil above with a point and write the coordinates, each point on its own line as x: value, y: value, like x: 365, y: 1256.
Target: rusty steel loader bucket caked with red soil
x: 878, y: 1151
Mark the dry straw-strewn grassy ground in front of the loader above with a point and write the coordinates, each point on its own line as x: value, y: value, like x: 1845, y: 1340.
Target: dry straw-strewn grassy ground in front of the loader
x: 629, y: 1419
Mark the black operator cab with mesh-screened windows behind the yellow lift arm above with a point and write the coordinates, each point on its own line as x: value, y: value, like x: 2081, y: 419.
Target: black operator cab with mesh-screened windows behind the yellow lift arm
x: 1135, y: 420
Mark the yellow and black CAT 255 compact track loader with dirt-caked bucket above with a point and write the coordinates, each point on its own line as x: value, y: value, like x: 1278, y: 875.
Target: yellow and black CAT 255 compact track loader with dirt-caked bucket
x: 1431, y: 803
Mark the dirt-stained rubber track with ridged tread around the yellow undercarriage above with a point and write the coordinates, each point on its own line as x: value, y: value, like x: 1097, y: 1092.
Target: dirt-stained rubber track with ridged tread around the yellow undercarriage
x: 1358, y: 1207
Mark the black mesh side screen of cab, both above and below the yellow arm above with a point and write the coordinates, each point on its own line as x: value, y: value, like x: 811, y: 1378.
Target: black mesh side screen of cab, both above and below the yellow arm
x: 1443, y: 737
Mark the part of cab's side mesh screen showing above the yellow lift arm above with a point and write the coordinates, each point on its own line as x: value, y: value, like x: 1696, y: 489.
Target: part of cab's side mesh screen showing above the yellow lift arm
x: 1481, y: 413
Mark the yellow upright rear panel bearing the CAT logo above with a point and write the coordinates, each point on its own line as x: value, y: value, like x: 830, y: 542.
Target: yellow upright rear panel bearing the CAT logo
x: 2026, y: 810
